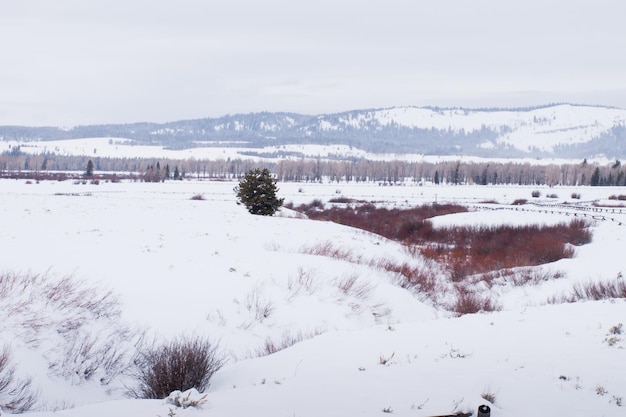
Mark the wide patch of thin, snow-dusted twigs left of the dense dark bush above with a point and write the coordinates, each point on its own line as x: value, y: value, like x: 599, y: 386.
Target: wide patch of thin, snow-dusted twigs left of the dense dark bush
x: 81, y: 324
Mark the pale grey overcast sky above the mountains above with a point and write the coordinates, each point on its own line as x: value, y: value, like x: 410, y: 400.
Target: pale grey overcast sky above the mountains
x: 71, y: 62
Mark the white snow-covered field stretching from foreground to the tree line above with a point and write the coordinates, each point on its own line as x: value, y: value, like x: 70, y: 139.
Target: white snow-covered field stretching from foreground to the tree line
x: 205, y: 266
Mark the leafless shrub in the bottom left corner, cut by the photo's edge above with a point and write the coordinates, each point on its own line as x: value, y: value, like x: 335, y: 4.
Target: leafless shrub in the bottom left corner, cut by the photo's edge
x: 16, y: 395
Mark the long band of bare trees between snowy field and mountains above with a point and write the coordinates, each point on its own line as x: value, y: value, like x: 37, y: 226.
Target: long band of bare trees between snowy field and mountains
x: 316, y: 170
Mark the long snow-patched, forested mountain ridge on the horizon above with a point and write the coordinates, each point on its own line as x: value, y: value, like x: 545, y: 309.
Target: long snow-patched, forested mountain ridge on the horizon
x: 563, y: 131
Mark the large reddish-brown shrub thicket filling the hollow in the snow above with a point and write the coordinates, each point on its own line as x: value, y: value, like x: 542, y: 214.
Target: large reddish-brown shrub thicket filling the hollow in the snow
x: 465, y: 255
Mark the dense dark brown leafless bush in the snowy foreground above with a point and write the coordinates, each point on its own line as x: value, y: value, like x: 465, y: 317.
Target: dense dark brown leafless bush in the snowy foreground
x: 181, y: 364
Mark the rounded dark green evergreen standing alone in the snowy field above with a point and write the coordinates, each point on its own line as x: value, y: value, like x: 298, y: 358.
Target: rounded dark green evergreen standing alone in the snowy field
x: 257, y: 191
